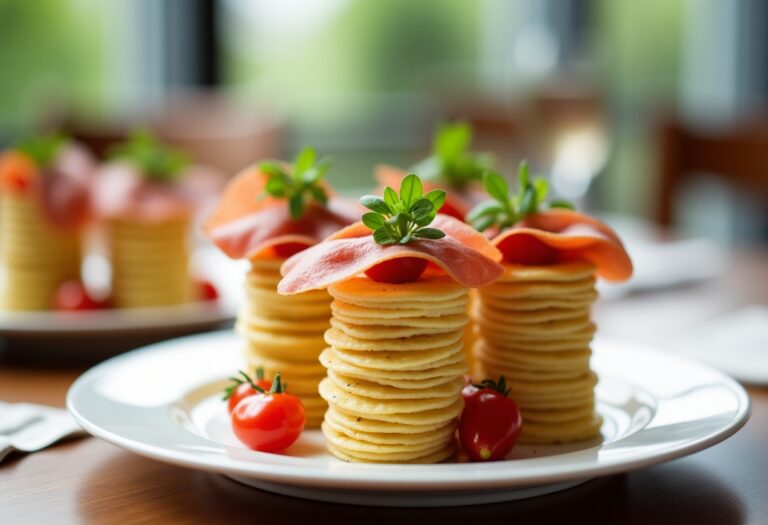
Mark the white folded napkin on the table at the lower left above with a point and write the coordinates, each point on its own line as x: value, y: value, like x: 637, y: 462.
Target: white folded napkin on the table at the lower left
x: 28, y: 428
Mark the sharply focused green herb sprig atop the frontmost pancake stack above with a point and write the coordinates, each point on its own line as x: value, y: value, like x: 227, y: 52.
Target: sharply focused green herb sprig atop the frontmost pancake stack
x: 399, y: 219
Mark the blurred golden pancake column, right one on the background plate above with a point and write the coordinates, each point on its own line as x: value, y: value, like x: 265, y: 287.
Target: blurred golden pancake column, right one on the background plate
x: 150, y: 263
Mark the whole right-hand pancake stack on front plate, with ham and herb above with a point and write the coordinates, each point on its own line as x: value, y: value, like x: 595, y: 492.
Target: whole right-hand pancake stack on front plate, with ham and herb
x: 534, y: 322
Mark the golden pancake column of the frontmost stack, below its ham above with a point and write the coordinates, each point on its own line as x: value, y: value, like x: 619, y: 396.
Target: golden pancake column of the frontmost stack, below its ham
x: 395, y: 370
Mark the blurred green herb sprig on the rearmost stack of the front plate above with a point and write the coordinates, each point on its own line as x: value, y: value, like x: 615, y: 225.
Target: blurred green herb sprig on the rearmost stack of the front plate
x: 451, y: 160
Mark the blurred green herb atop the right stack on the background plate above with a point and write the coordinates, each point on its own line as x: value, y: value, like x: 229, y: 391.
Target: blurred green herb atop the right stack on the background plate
x: 158, y: 162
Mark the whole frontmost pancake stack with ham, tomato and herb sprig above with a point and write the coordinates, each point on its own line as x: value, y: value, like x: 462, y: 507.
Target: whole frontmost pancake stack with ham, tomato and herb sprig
x: 395, y: 362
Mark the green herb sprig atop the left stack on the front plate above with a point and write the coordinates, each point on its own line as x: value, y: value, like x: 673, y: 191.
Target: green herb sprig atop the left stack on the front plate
x: 302, y: 185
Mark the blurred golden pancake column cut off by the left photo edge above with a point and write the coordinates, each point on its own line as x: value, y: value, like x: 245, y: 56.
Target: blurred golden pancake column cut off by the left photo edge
x: 36, y: 254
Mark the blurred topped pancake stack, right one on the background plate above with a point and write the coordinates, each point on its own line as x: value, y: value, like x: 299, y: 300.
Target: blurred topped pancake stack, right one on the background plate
x: 148, y: 212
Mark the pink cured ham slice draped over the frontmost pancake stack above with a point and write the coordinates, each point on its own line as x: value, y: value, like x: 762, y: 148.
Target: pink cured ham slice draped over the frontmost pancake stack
x: 463, y: 254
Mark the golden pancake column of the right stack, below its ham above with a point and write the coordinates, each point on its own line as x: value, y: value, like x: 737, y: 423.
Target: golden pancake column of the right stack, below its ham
x: 535, y: 330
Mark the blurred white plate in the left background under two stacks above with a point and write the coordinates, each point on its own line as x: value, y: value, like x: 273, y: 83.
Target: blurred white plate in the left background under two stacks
x: 209, y: 264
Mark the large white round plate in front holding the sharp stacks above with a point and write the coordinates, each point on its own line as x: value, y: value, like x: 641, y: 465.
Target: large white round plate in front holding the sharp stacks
x: 164, y: 402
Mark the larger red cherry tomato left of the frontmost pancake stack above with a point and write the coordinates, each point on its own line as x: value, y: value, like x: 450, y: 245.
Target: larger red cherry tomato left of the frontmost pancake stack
x: 269, y: 422
